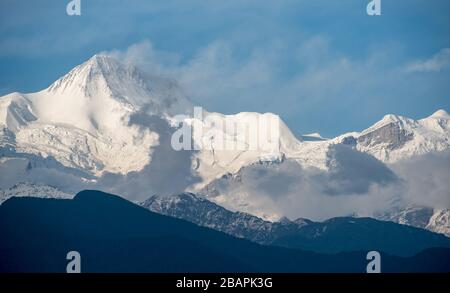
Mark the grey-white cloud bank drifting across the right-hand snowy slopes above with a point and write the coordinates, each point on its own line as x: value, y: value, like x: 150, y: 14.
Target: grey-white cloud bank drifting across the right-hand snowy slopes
x: 365, y: 187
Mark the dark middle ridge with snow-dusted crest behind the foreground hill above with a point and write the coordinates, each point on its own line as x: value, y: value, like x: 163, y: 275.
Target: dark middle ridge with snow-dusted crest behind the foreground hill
x: 331, y: 236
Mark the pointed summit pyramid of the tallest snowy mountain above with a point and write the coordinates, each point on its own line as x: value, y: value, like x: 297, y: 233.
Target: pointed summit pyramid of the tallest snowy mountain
x: 105, y: 76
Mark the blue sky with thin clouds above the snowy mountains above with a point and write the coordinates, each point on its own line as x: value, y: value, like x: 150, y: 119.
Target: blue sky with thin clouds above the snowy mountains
x: 322, y: 65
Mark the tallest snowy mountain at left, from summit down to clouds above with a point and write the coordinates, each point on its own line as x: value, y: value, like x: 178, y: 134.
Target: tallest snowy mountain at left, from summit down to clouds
x: 83, y: 119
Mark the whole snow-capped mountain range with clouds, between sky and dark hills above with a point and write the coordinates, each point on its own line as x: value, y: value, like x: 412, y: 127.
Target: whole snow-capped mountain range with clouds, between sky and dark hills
x: 107, y: 125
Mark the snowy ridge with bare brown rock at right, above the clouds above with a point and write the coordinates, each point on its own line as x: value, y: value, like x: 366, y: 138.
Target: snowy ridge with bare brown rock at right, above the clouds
x: 390, y: 140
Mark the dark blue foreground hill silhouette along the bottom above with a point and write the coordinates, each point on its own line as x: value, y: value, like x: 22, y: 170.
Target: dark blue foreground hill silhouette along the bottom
x: 115, y: 235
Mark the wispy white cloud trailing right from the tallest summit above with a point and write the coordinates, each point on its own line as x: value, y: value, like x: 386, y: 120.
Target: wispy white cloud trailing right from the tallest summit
x: 213, y: 76
